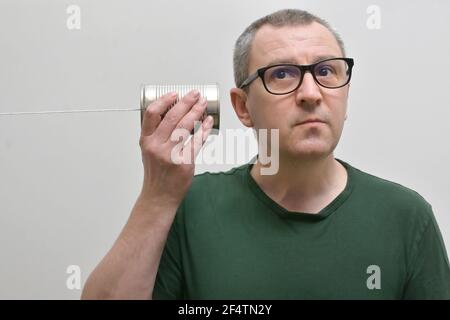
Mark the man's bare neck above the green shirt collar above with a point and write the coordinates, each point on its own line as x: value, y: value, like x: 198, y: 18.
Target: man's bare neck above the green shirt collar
x: 303, y: 185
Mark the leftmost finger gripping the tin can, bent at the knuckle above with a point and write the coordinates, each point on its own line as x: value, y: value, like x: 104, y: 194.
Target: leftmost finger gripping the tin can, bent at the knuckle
x: 152, y: 115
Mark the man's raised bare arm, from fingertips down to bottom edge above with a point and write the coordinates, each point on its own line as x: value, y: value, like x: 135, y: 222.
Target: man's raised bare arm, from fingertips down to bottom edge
x: 129, y: 269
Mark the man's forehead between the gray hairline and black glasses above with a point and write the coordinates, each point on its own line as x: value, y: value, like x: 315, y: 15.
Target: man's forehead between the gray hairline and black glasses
x: 303, y: 44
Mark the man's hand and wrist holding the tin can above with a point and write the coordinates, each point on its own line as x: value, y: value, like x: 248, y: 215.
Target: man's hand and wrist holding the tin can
x: 165, y: 178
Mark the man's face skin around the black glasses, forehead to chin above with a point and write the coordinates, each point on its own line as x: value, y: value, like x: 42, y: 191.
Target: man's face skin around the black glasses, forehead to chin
x: 299, y: 45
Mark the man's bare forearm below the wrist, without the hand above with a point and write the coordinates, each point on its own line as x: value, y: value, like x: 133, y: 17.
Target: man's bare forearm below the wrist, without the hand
x: 129, y: 269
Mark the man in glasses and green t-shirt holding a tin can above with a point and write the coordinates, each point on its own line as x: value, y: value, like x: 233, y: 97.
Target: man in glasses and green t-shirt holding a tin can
x: 316, y: 229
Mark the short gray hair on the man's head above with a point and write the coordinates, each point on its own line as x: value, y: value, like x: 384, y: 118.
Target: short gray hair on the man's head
x: 281, y: 18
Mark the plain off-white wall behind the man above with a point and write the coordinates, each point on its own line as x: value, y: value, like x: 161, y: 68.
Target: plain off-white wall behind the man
x: 68, y: 181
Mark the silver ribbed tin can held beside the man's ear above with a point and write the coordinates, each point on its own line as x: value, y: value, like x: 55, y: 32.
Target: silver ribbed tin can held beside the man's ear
x: 150, y: 93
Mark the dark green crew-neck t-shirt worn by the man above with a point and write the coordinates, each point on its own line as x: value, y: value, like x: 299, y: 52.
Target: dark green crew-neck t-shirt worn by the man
x: 229, y: 240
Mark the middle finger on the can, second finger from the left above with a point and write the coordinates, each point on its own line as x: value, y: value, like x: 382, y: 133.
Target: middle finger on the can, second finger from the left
x: 175, y: 114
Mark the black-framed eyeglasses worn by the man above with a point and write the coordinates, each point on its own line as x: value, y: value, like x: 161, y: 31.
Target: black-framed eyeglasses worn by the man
x: 285, y: 78
